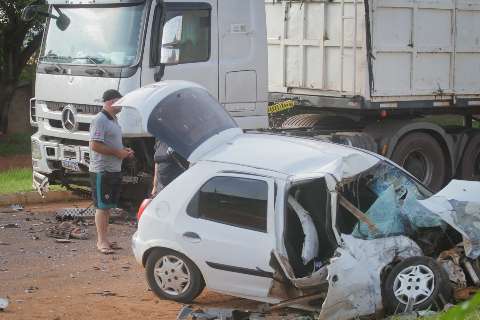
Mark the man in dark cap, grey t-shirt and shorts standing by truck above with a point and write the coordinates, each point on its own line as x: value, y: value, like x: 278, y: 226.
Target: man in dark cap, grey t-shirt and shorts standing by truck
x: 106, y: 155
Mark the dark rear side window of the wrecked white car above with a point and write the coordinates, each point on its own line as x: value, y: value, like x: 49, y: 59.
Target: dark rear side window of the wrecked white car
x: 240, y: 202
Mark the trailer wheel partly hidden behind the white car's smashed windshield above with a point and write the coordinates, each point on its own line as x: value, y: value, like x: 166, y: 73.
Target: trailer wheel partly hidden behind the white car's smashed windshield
x: 421, y: 155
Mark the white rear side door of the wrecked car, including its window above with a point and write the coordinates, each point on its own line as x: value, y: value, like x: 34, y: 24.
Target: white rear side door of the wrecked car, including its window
x: 228, y: 230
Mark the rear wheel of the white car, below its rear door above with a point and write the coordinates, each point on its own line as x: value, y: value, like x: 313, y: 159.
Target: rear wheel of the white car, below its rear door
x: 173, y: 276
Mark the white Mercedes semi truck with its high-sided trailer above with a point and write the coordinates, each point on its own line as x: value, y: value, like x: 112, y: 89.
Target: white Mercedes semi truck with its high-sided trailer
x: 363, y: 73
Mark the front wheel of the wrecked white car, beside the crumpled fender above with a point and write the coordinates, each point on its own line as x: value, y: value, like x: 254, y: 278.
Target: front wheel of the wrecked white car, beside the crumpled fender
x: 419, y: 278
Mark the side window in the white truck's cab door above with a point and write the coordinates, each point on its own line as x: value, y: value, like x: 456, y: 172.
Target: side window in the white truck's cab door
x: 182, y: 34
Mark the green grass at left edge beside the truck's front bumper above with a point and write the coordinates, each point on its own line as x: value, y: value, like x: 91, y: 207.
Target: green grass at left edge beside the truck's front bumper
x: 19, y: 180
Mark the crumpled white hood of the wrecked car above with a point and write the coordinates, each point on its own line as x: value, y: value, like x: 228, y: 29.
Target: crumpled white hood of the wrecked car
x: 458, y: 204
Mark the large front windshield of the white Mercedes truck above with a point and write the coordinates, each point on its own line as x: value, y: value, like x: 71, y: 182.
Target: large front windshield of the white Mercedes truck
x: 96, y: 35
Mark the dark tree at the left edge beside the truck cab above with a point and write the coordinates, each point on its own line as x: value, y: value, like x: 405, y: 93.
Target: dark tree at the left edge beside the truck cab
x: 19, y: 40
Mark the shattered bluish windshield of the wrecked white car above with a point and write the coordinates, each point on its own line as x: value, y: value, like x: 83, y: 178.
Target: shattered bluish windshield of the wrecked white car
x: 389, y: 198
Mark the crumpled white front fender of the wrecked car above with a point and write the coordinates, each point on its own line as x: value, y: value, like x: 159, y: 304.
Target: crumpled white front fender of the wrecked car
x: 367, y: 258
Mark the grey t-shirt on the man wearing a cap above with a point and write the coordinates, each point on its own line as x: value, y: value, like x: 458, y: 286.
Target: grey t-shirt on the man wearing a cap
x: 105, y: 128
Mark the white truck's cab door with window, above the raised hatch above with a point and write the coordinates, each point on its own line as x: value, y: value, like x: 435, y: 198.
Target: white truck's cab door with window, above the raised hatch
x: 182, y: 43
